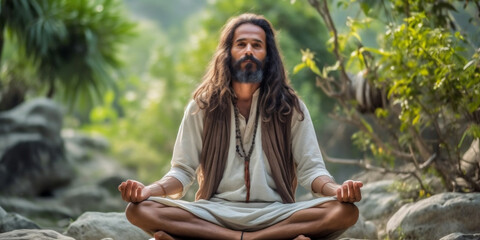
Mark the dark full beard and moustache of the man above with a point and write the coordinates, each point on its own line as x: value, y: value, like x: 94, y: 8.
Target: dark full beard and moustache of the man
x: 248, y: 75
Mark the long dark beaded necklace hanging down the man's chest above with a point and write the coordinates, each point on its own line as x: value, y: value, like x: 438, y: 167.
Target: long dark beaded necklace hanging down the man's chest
x: 241, y: 151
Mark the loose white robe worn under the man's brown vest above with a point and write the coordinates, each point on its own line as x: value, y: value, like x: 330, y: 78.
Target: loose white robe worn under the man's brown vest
x: 227, y: 207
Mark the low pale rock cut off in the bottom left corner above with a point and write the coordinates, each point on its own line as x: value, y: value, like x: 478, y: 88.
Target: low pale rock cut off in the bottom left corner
x: 25, y: 234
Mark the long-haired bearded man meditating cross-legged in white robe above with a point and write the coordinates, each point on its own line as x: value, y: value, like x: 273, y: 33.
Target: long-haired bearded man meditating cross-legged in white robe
x: 249, y: 140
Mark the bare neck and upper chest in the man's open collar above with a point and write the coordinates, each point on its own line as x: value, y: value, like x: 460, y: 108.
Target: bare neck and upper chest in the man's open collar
x: 244, y: 93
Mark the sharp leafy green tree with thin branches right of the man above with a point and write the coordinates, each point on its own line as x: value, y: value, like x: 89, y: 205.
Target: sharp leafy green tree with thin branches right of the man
x: 416, y: 97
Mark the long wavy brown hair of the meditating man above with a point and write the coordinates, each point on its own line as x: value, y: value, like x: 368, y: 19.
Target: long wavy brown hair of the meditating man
x: 276, y: 94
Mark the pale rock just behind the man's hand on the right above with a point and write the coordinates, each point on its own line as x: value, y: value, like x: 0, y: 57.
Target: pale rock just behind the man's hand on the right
x: 377, y: 201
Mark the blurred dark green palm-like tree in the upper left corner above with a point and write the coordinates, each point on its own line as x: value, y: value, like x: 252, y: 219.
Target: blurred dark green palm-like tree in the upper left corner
x: 72, y: 45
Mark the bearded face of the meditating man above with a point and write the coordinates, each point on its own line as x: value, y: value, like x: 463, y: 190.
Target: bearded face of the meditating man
x: 249, y: 51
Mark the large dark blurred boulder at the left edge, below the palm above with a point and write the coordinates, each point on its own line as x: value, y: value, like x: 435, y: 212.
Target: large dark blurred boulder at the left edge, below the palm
x: 32, y: 155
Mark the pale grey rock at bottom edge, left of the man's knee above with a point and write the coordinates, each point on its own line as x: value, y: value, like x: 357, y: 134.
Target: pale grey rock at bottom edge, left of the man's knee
x: 97, y: 225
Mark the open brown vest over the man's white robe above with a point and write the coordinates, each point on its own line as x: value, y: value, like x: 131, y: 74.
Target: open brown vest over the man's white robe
x: 276, y: 144
